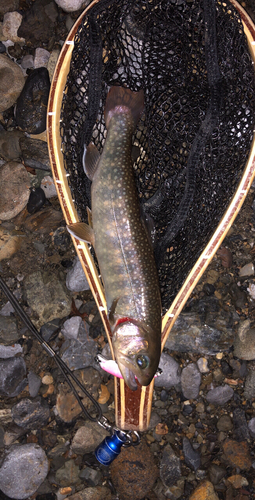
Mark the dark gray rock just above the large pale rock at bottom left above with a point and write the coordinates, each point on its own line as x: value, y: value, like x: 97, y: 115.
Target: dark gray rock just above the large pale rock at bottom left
x: 31, y: 414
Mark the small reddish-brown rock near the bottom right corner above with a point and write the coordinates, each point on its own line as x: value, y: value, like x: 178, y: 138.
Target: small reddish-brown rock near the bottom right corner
x: 237, y: 454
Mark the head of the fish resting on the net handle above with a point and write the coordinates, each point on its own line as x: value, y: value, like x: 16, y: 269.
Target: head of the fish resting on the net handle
x: 137, y: 352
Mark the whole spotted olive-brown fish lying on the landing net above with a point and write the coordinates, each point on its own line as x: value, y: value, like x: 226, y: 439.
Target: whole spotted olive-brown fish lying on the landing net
x: 122, y: 243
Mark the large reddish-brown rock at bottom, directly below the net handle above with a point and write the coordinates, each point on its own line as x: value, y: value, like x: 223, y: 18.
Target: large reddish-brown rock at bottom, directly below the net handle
x: 134, y: 472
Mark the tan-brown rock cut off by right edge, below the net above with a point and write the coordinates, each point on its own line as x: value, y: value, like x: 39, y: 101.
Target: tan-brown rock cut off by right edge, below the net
x: 244, y: 344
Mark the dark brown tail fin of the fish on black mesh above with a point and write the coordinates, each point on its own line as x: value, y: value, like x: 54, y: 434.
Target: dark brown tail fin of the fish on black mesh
x: 122, y: 100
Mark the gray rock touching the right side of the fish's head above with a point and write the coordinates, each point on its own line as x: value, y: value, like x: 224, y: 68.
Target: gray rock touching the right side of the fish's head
x: 171, y: 372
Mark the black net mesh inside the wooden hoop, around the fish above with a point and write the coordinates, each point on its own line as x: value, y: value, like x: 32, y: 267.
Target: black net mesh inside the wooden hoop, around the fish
x: 192, y: 60
